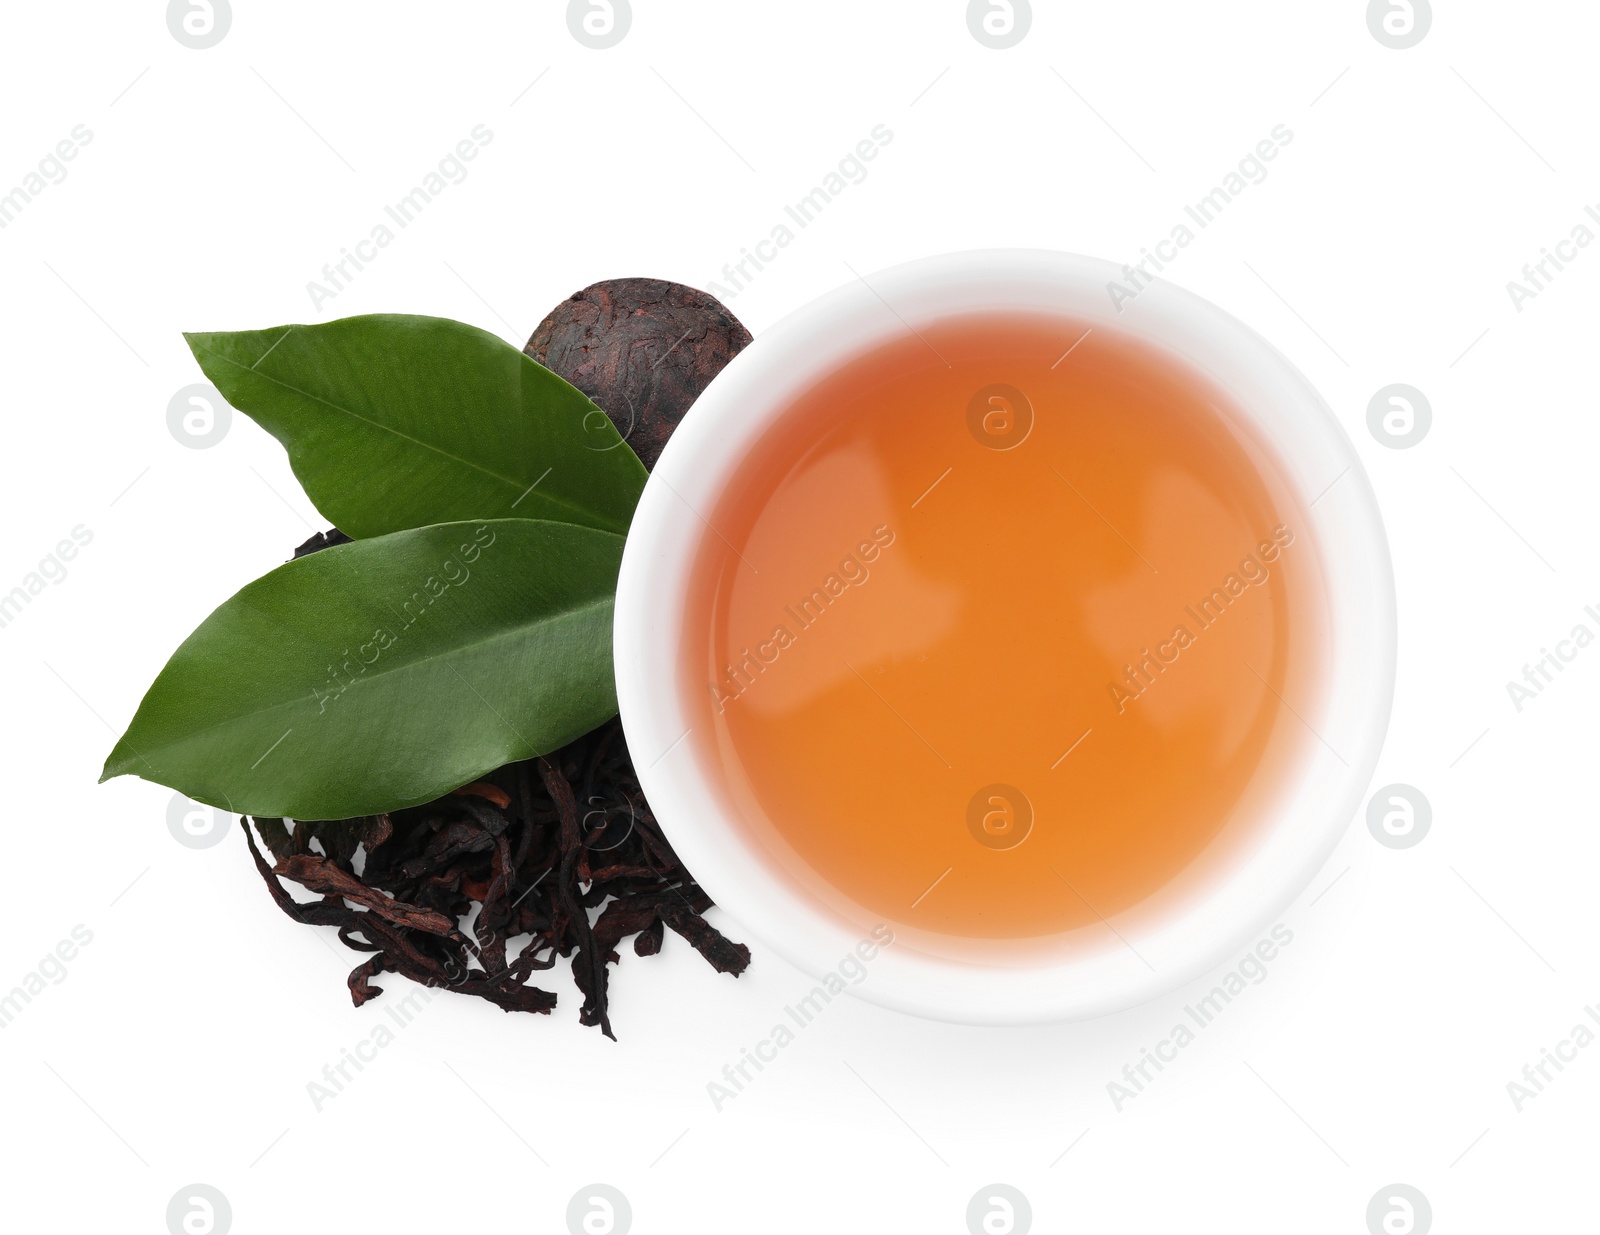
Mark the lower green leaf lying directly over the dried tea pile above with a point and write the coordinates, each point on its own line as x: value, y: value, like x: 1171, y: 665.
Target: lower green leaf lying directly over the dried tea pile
x: 386, y: 673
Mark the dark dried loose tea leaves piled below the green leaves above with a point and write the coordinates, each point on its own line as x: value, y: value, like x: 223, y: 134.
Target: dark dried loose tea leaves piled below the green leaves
x: 524, y: 857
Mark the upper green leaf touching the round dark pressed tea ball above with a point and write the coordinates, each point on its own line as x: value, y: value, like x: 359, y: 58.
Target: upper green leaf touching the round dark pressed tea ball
x: 399, y: 422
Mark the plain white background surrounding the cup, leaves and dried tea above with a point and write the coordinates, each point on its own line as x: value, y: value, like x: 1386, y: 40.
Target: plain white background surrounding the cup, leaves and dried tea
x: 182, y: 1042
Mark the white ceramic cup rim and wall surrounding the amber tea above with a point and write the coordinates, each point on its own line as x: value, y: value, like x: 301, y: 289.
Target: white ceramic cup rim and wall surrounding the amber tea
x: 1308, y: 817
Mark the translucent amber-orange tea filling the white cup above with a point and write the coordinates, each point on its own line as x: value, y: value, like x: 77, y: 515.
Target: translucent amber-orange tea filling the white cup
x: 1004, y: 629
